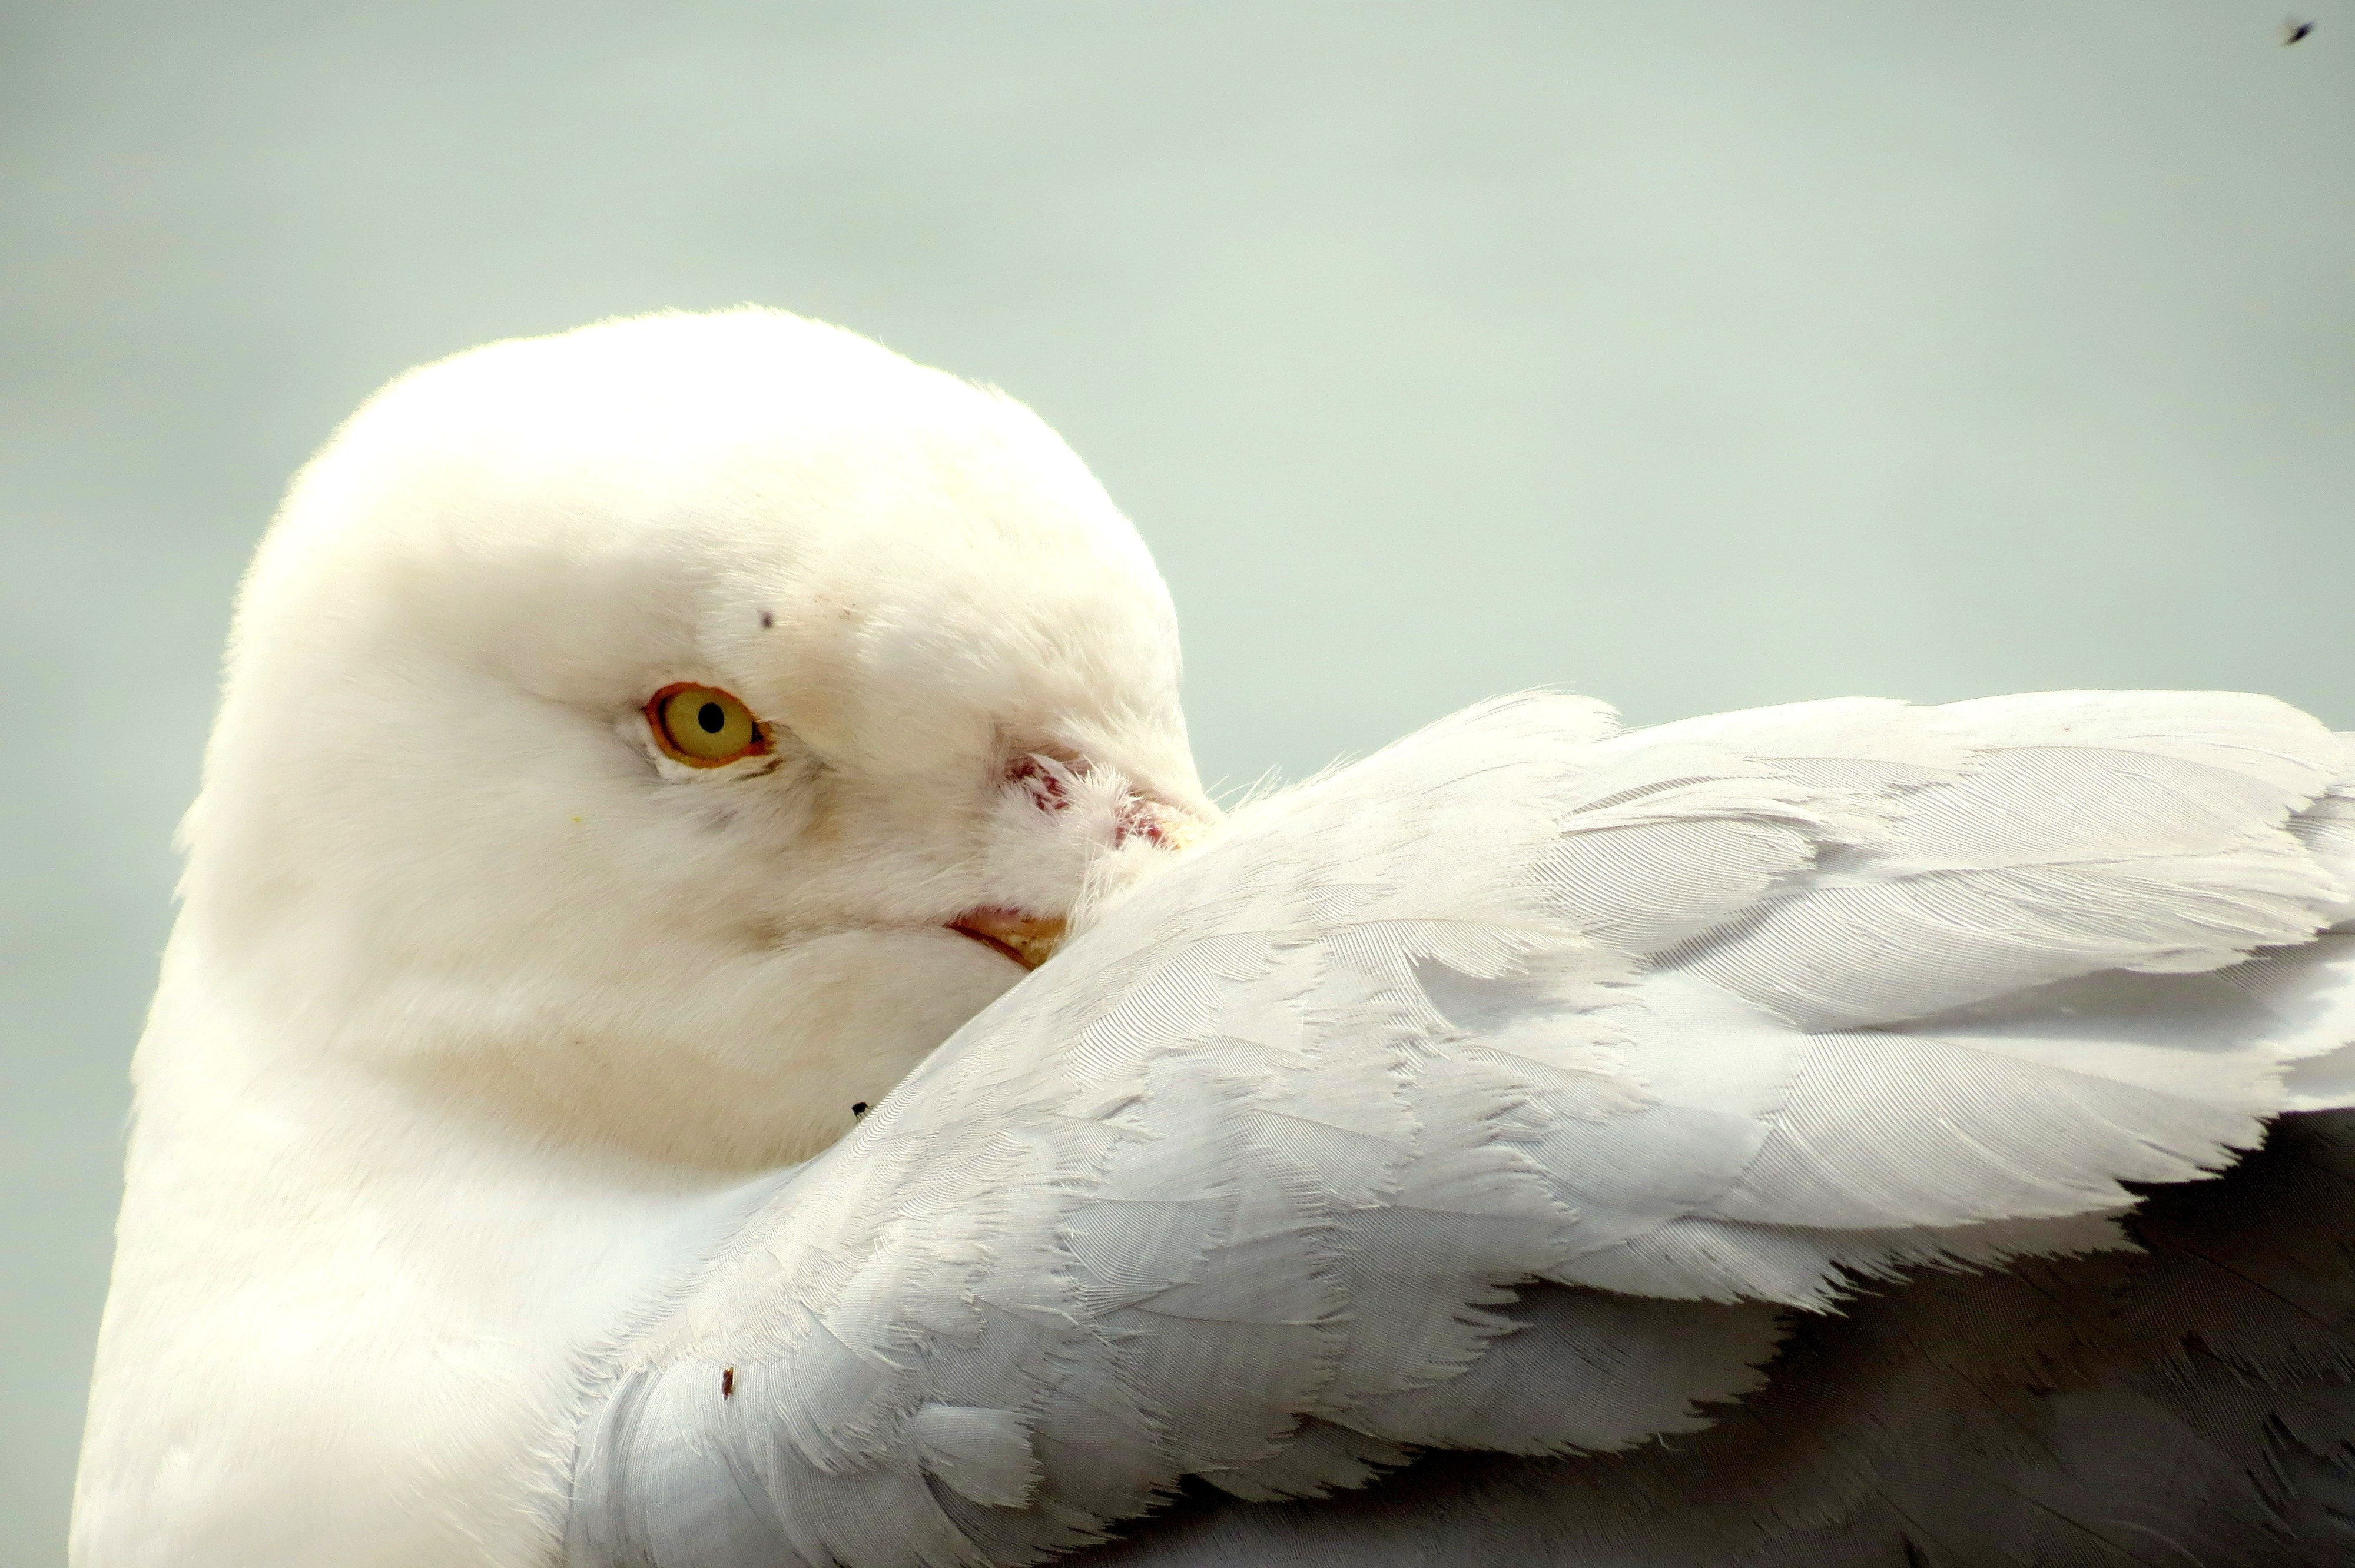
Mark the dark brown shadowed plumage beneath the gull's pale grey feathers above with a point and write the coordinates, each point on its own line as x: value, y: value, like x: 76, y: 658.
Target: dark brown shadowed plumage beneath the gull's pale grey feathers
x: 2184, y: 1404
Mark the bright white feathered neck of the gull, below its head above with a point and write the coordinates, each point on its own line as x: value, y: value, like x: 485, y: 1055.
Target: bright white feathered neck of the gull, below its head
x: 324, y: 1275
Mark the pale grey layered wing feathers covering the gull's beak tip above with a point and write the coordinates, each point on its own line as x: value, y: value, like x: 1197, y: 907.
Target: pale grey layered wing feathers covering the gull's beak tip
x: 1680, y: 1025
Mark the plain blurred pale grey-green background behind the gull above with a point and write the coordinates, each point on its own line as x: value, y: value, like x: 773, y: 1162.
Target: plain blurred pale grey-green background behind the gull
x: 1694, y: 354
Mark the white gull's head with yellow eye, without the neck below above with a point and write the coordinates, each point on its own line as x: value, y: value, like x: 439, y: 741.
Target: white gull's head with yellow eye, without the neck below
x: 665, y: 733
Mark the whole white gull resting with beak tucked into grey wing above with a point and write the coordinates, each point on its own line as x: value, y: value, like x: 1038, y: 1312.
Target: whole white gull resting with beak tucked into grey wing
x: 597, y: 1110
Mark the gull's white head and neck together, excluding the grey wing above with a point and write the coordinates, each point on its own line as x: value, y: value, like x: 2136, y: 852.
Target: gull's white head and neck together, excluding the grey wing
x: 484, y: 978
